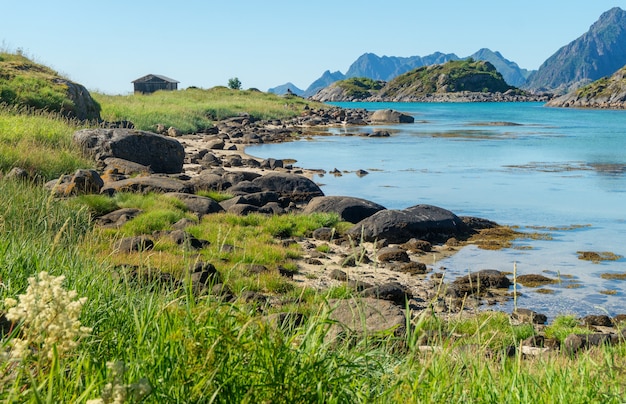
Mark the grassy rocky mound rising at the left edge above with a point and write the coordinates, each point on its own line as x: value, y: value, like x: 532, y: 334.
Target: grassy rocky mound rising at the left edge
x: 25, y: 83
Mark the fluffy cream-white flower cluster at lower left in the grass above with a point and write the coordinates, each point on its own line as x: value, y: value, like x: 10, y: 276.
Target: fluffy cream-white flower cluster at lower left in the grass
x: 48, y: 315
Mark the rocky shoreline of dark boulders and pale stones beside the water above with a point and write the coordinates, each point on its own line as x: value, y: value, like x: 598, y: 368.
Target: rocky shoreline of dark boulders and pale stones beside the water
x: 389, y: 256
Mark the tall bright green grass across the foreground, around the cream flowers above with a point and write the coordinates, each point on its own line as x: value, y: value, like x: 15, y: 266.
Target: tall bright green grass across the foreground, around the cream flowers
x: 169, y: 346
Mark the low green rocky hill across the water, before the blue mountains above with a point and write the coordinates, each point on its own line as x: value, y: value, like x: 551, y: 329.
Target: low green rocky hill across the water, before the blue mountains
x: 447, y: 81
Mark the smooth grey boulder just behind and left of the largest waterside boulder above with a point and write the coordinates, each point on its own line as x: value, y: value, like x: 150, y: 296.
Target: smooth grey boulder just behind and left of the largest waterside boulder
x: 349, y: 209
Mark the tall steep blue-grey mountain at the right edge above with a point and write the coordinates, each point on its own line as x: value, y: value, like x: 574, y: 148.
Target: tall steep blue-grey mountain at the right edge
x: 599, y: 52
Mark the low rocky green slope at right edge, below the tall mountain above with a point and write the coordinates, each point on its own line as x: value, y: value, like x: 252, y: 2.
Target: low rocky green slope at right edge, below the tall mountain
x: 608, y: 92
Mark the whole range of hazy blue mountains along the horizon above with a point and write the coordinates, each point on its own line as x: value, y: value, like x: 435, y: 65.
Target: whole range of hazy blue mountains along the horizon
x: 600, y: 52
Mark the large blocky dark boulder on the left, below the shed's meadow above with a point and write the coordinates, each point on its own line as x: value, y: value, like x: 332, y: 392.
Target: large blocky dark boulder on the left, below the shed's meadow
x: 162, y: 154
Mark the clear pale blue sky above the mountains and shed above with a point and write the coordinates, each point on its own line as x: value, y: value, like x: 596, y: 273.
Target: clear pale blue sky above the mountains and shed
x: 104, y: 45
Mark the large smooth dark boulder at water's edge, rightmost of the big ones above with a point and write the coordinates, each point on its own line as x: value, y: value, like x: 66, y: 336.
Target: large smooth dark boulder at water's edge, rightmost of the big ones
x: 424, y: 222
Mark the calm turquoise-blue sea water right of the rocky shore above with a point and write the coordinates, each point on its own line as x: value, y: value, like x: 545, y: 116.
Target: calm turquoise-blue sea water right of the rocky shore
x: 560, y: 172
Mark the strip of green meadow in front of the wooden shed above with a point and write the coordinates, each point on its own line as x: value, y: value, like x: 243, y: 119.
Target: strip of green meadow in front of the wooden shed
x: 195, y: 109
